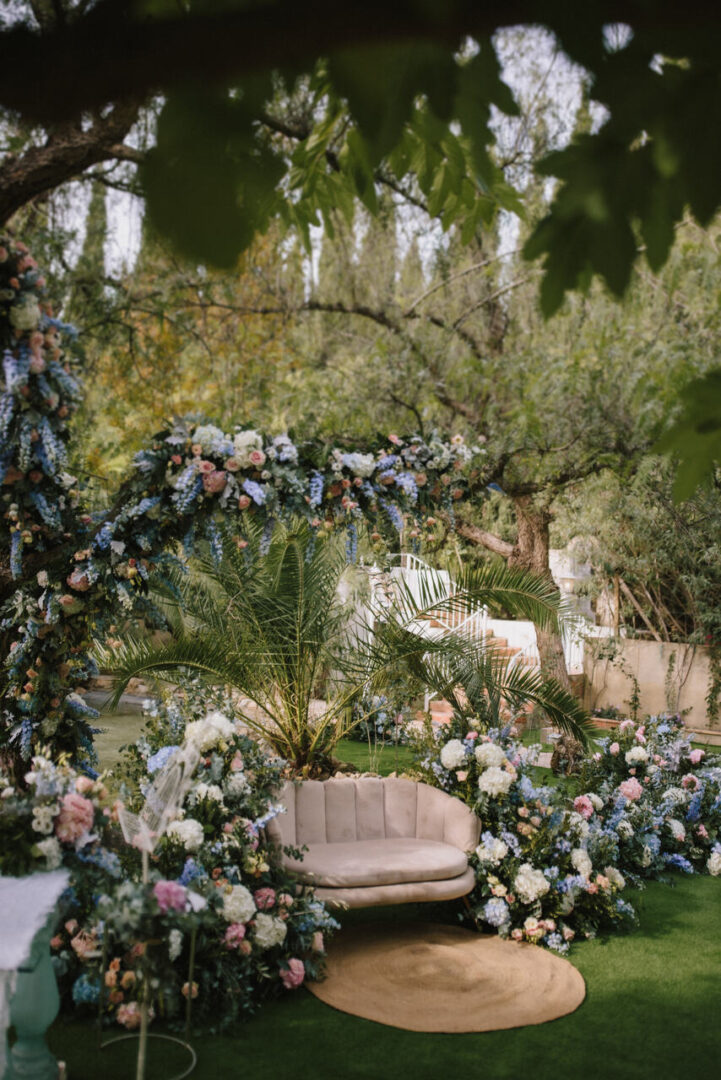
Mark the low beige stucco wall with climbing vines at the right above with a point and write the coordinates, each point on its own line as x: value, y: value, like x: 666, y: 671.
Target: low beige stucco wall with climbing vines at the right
x: 607, y: 684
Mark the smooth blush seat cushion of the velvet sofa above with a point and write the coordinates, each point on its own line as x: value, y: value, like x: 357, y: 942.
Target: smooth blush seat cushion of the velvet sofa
x: 378, y: 862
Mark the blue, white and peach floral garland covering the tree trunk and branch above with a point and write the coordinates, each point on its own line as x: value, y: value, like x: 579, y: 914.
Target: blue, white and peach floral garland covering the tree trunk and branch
x: 93, y: 569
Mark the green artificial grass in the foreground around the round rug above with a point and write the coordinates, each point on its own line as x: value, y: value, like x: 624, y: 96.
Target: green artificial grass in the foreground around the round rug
x: 651, y: 1014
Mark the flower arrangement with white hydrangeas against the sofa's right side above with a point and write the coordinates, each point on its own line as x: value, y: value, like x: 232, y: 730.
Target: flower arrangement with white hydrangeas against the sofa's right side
x: 539, y: 877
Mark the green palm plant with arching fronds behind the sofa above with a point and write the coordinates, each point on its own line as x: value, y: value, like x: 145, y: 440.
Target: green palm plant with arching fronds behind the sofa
x: 274, y: 628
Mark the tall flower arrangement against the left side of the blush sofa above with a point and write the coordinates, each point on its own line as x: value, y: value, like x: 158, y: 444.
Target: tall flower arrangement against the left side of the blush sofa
x: 212, y: 873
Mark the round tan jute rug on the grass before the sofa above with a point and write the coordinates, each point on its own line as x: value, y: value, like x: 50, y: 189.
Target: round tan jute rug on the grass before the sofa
x: 431, y: 978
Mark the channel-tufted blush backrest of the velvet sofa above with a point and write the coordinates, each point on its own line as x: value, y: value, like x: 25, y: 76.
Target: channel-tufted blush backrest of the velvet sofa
x: 343, y: 811
